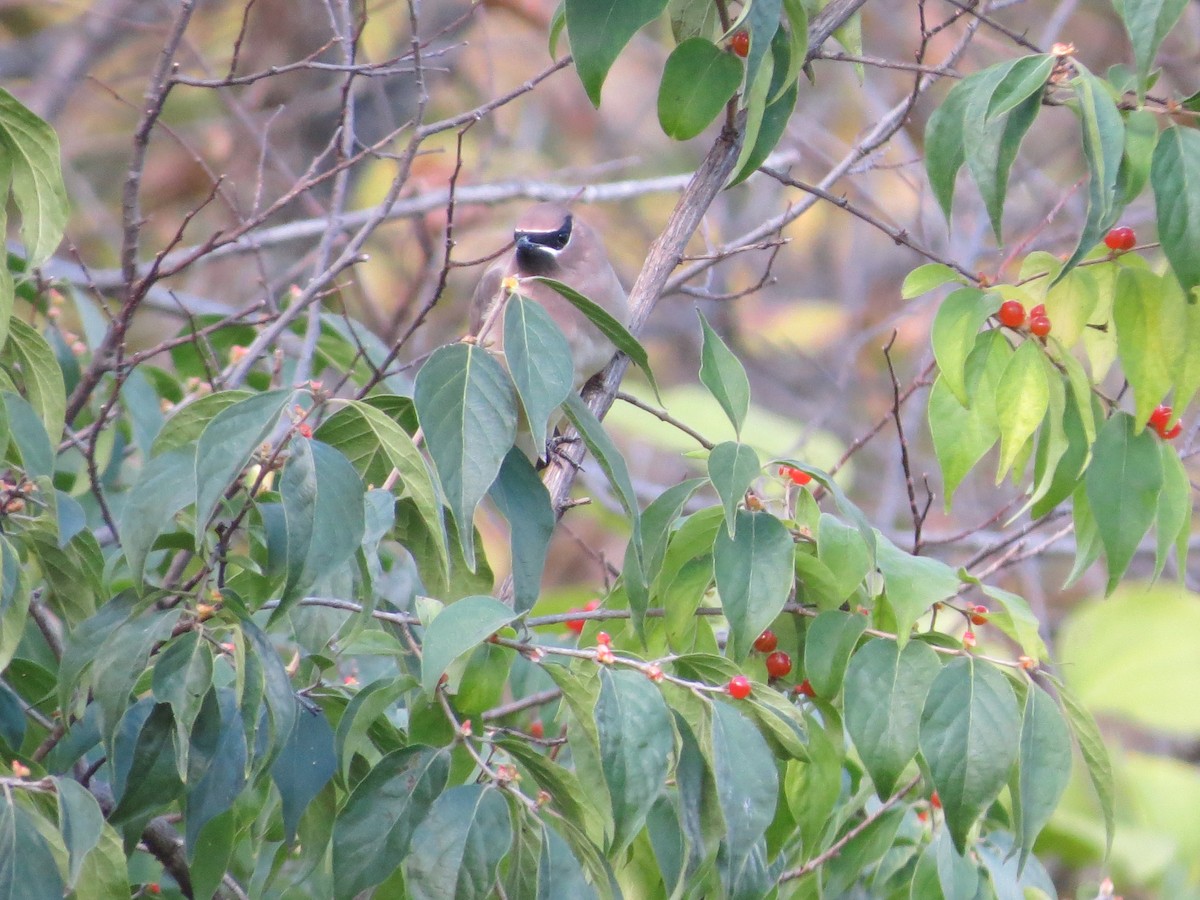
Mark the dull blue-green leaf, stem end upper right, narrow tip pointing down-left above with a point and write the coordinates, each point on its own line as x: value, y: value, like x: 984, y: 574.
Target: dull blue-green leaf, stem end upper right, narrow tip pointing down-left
x: 227, y: 445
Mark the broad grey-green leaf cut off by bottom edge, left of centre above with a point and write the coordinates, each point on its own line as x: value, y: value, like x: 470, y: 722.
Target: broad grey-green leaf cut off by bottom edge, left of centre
x: 459, y: 851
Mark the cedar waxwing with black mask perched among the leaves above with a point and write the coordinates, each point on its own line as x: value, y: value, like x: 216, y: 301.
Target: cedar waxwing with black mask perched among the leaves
x: 554, y: 243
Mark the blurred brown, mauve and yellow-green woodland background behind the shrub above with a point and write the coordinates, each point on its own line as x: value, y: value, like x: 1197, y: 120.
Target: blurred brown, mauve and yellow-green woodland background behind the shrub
x: 265, y: 89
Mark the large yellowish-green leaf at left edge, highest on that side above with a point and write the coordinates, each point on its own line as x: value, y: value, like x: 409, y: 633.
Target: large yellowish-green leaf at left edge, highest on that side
x: 33, y: 158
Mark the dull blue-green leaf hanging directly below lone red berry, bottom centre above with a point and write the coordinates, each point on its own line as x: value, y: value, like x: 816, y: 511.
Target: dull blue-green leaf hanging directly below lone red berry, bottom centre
x: 747, y: 782
